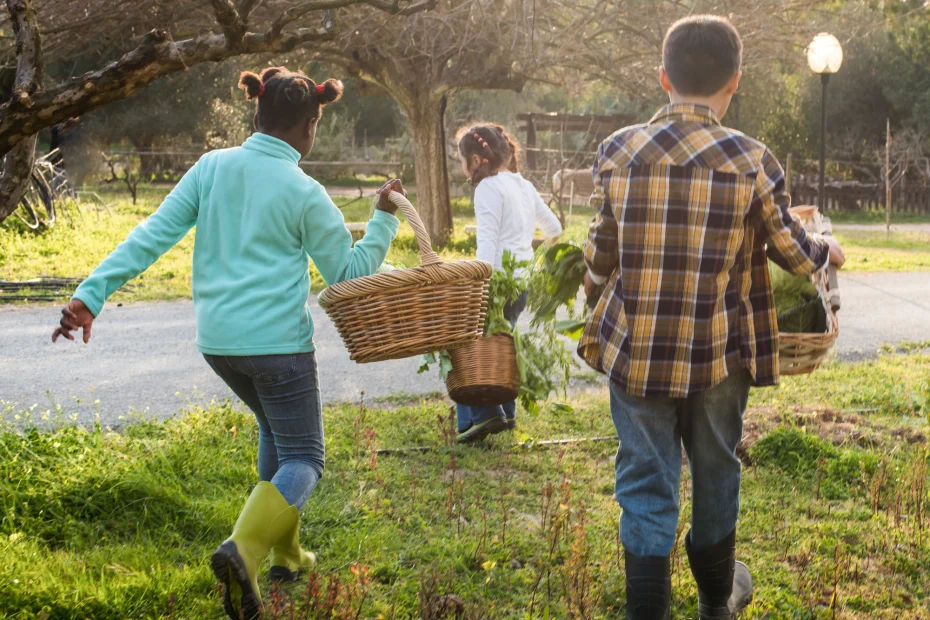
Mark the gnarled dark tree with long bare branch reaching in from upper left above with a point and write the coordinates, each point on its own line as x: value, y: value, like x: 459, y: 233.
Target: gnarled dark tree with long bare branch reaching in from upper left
x: 179, y: 35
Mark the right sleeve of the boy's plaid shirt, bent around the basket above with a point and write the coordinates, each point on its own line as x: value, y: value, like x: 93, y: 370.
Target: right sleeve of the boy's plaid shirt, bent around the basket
x: 788, y: 244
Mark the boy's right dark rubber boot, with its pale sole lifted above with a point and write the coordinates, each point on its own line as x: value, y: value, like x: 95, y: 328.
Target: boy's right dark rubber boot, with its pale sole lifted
x: 724, y: 585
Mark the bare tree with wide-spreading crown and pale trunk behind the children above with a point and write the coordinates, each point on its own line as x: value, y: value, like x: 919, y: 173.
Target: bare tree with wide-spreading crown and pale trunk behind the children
x: 467, y: 45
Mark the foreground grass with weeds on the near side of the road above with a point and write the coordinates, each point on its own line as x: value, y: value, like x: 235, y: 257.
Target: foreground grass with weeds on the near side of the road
x: 100, y: 524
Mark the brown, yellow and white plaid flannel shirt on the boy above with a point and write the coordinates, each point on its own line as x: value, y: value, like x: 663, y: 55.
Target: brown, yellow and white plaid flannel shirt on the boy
x: 688, y: 211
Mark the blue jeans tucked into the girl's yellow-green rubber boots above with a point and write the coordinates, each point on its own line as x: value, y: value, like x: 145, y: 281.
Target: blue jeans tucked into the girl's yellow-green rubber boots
x: 283, y: 392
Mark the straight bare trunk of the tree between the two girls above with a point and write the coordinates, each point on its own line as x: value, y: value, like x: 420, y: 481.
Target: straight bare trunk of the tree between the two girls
x: 429, y: 154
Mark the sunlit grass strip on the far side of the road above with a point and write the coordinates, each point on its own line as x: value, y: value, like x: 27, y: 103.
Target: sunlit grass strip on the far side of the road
x: 74, y: 252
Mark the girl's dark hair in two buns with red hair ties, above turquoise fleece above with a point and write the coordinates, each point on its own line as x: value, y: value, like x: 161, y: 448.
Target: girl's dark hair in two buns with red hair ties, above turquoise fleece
x: 285, y: 98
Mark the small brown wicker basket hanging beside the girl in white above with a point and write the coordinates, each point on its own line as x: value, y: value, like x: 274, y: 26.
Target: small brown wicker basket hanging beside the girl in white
x: 484, y: 372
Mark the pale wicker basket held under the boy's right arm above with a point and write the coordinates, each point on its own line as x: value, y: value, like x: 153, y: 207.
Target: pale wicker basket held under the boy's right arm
x: 800, y: 354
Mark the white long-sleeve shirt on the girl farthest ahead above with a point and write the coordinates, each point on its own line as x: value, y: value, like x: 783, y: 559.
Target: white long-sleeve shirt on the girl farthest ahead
x: 508, y: 209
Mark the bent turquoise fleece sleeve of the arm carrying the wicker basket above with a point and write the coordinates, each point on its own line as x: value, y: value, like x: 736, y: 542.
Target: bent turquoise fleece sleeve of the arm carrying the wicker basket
x: 329, y: 244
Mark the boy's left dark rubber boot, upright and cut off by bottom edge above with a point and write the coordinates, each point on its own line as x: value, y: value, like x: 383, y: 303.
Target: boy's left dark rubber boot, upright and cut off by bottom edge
x: 648, y: 587
